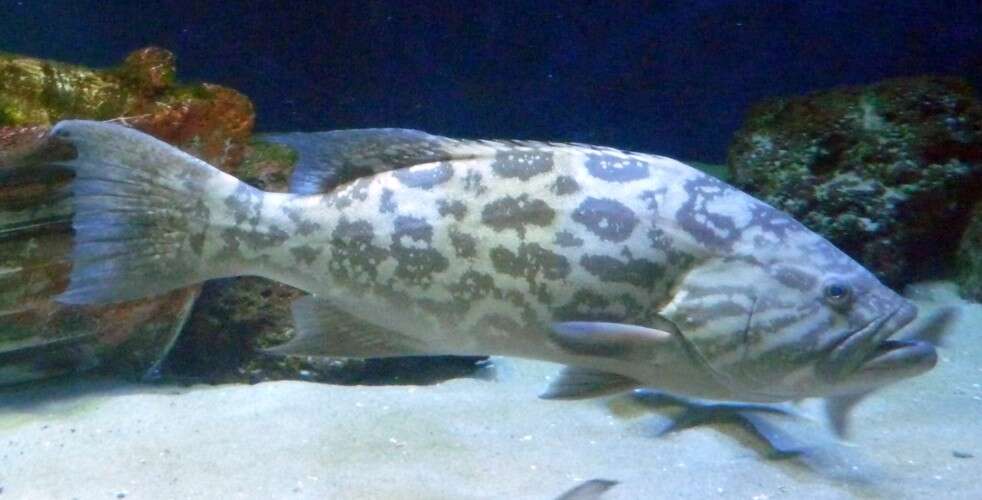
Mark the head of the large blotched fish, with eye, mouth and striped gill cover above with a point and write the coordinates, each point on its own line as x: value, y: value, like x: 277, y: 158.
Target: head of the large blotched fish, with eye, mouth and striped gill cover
x: 774, y: 329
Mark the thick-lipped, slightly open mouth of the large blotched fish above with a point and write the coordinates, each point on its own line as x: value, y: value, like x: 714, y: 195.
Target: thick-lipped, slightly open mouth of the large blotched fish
x: 870, y: 348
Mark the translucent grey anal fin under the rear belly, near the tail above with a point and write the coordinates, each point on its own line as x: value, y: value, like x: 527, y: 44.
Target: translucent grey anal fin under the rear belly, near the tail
x: 325, y: 330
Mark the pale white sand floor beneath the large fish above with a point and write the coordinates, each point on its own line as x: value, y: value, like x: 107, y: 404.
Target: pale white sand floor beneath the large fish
x: 470, y: 438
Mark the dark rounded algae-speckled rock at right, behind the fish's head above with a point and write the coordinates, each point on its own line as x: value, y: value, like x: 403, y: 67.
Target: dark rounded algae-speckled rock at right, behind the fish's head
x: 888, y: 172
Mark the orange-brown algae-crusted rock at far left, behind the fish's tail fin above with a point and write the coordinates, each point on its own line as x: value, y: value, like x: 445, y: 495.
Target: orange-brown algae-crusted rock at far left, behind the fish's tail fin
x: 38, y: 336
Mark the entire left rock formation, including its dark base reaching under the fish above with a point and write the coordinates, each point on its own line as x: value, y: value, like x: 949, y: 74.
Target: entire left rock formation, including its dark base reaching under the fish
x: 234, y: 318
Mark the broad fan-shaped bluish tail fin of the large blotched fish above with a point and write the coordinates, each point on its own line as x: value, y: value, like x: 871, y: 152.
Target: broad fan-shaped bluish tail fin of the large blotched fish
x: 143, y: 213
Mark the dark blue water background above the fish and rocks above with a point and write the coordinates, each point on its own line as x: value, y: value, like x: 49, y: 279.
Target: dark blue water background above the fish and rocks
x: 672, y: 77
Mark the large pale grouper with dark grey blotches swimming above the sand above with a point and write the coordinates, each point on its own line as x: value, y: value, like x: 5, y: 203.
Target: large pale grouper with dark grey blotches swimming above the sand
x: 632, y: 270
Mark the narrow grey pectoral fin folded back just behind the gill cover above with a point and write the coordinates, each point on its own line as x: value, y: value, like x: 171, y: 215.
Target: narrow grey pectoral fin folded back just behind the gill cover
x: 609, y: 340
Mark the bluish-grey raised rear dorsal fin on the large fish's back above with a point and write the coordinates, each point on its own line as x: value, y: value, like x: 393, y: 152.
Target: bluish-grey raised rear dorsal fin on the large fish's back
x: 329, y: 159
